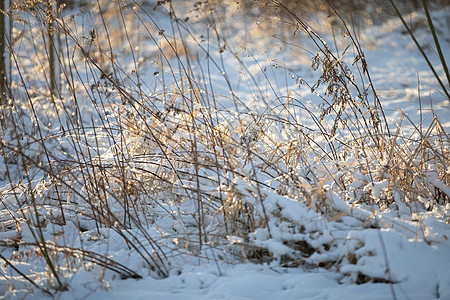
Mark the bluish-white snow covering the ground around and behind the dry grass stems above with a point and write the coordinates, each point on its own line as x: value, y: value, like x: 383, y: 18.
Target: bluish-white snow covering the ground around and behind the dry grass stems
x: 313, y: 242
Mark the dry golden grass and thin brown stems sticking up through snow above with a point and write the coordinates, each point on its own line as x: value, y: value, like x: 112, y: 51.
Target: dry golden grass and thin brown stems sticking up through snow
x: 159, y: 157
